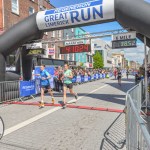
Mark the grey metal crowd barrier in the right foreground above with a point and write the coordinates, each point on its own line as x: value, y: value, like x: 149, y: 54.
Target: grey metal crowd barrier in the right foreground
x: 137, y: 135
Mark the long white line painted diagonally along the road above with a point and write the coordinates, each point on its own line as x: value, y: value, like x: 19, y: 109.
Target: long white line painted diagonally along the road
x: 31, y: 120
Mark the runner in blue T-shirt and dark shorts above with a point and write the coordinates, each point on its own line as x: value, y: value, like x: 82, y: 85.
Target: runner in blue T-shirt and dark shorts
x: 45, y: 85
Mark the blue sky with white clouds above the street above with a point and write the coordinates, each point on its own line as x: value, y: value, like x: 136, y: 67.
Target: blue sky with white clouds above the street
x: 136, y: 54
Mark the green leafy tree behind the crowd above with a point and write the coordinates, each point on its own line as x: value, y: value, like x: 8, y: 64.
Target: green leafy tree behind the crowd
x: 98, y: 60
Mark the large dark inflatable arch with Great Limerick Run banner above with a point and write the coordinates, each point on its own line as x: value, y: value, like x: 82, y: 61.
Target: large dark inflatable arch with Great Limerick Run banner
x: 131, y: 14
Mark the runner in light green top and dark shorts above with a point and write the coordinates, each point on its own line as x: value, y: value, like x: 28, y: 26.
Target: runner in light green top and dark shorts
x: 67, y: 78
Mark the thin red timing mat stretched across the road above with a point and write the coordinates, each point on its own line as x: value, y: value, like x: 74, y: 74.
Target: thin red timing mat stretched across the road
x: 69, y: 106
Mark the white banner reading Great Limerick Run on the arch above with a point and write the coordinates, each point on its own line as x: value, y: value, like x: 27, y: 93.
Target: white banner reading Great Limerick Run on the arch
x: 83, y: 13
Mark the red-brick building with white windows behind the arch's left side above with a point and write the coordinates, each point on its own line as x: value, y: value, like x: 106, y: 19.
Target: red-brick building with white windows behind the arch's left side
x: 13, y: 11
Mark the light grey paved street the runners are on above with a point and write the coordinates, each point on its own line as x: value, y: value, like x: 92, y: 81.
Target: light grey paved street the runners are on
x: 54, y: 128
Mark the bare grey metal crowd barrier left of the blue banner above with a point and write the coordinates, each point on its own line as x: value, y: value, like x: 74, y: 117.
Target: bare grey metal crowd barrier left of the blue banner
x: 9, y: 90
